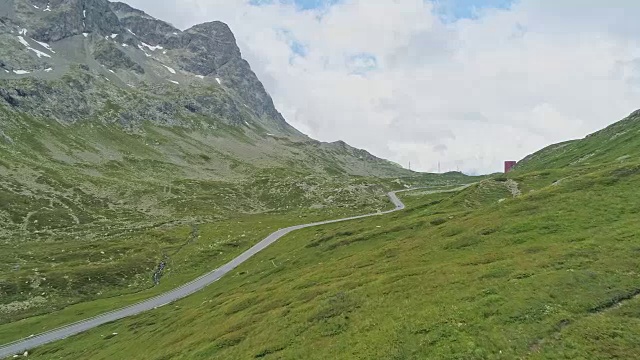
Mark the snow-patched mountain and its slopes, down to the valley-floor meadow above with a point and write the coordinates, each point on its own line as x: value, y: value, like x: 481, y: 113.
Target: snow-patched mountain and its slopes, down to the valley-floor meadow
x: 107, y: 112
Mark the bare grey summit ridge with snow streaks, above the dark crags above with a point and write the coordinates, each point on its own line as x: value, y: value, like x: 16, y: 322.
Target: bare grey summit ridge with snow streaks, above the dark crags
x: 206, y: 50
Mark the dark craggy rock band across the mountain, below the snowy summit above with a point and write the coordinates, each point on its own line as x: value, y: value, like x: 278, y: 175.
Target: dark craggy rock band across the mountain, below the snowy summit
x: 79, y: 96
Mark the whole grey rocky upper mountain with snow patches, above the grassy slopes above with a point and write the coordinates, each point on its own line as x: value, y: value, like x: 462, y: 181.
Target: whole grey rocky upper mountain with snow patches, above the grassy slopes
x: 117, y: 47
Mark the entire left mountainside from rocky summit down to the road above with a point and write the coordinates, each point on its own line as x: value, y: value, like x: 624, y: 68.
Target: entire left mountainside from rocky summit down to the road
x: 126, y: 143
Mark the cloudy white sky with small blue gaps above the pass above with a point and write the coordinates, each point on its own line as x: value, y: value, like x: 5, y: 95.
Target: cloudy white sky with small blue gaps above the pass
x: 467, y: 83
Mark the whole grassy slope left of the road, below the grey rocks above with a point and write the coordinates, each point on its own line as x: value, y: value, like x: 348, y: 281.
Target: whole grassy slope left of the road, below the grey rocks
x: 88, y: 211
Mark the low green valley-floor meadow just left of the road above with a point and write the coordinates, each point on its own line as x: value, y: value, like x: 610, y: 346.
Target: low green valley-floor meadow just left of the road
x: 82, y: 281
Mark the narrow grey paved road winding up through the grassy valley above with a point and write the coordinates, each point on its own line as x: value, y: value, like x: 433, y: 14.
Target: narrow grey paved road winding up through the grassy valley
x: 20, y: 346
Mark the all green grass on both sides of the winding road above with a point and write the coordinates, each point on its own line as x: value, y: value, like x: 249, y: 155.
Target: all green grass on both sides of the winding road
x: 480, y: 273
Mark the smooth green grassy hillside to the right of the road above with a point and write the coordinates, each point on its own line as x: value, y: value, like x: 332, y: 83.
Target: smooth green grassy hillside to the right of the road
x: 535, y: 265
